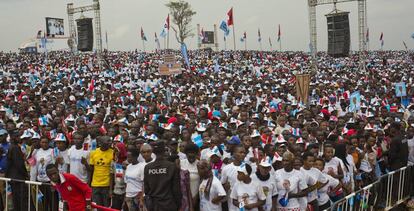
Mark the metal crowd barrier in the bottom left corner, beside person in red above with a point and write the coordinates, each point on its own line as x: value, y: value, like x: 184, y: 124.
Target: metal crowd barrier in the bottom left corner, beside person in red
x: 32, y: 193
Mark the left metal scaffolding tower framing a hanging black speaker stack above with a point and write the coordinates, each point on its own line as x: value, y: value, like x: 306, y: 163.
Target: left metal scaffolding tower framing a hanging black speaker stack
x: 98, y: 34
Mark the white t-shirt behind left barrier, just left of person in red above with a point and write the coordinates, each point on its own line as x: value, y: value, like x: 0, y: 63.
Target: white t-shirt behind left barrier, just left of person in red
x: 43, y: 158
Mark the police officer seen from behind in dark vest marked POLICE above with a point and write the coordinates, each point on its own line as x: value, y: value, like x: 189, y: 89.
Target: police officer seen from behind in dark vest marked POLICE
x: 161, y: 182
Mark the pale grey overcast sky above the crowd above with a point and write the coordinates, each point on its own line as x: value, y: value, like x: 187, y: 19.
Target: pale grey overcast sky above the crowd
x: 122, y: 19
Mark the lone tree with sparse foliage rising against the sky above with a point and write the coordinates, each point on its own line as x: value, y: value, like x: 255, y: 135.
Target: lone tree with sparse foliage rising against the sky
x: 182, y: 14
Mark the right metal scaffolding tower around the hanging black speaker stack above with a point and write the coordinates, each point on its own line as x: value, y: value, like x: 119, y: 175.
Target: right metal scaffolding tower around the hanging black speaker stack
x: 362, y: 25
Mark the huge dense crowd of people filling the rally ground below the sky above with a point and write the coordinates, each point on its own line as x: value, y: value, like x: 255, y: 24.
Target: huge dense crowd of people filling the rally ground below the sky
x: 228, y: 133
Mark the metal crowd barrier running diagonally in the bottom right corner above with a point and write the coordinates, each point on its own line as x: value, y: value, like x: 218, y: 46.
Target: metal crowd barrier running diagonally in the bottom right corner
x: 387, y: 192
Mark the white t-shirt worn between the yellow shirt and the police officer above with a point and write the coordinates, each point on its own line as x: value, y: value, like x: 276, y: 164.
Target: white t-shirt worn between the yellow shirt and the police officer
x: 132, y: 180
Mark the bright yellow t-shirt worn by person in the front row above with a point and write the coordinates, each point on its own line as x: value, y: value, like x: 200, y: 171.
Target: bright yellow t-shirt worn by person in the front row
x: 102, y: 162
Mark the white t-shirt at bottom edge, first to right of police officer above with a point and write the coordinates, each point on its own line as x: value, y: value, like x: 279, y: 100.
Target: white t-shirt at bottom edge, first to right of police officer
x: 215, y: 190
